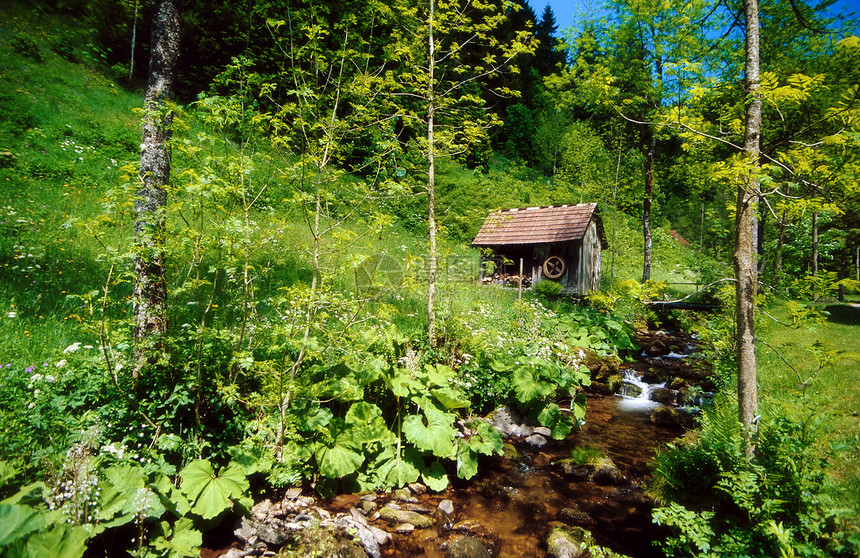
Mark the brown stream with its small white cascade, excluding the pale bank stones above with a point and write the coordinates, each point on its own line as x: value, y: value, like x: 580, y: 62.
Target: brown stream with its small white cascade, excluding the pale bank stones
x: 516, y: 499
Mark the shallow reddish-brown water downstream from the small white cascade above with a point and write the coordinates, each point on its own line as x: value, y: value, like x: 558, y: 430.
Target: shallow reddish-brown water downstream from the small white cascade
x: 514, y: 503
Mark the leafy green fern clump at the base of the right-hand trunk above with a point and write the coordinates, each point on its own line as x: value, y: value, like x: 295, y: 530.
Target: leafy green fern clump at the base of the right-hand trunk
x: 719, y: 503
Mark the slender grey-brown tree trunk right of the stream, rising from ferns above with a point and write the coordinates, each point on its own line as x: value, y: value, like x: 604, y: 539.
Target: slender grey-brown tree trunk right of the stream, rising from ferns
x: 744, y: 256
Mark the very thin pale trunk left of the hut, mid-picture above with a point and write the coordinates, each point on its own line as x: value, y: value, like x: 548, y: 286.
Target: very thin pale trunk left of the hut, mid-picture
x: 431, y: 185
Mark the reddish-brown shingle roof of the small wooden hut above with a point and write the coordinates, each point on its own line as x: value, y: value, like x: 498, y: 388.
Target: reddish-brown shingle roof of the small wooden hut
x: 538, y: 225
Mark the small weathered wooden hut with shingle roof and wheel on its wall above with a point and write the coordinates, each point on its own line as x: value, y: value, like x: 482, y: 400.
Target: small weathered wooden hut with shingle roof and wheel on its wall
x: 560, y: 243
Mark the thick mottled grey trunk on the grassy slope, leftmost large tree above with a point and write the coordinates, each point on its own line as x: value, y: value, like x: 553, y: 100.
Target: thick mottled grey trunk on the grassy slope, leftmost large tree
x: 150, y: 289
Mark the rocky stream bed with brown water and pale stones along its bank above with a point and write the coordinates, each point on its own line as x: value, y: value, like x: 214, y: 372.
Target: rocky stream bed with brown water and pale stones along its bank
x: 533, y: 501
